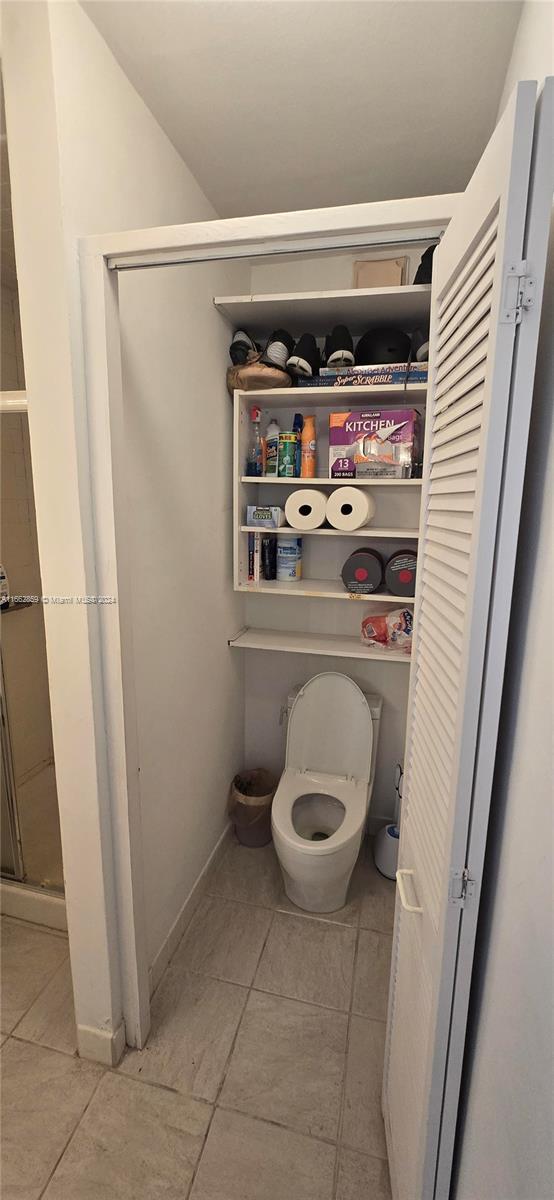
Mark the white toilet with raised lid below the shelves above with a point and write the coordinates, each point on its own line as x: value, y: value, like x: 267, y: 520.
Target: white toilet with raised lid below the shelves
x: 320, y: 809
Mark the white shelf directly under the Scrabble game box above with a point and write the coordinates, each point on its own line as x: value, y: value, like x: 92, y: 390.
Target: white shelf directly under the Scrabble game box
x: 338, y: 398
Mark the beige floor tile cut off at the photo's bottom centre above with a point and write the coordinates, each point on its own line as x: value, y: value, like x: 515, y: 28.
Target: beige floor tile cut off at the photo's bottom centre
x: 248, y: 1160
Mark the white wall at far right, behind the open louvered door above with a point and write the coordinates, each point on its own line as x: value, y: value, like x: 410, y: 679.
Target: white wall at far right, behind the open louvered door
x: 505, y: 1147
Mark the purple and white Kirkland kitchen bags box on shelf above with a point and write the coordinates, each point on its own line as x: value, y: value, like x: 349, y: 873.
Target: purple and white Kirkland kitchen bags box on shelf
x: 372, y: 443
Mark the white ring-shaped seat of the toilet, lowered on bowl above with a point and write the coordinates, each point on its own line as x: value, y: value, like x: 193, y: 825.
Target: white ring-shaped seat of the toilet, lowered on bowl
x: 296, y: 784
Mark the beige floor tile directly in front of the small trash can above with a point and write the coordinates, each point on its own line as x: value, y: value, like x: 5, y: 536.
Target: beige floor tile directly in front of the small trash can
x: 249, y: 875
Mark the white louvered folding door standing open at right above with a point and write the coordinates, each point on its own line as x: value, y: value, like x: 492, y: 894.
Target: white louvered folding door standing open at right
x: 469, y: 412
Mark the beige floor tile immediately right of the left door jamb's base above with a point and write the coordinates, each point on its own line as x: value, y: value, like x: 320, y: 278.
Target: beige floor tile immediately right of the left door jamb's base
x: 195, y: 1021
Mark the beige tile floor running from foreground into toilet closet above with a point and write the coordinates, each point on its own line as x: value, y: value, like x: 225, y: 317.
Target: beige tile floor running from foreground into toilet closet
x: 263, y: 1072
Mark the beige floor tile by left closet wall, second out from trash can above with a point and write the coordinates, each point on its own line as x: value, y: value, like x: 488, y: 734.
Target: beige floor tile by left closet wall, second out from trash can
x: 225, y: 940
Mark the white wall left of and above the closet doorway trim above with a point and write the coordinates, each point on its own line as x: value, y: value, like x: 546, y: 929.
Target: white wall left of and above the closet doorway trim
x: 86, y: 157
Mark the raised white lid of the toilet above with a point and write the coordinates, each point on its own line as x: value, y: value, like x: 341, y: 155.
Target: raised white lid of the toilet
x: 330, y: 729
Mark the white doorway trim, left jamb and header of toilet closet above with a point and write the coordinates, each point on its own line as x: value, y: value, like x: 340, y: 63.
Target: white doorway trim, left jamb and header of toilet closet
x: 101, y: 259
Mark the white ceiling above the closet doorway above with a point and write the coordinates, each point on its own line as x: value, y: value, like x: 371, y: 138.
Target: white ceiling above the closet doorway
x: 281, y: 105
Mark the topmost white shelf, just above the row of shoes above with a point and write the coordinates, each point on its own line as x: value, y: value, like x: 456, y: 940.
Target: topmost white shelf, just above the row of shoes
x: 320, y: 311
